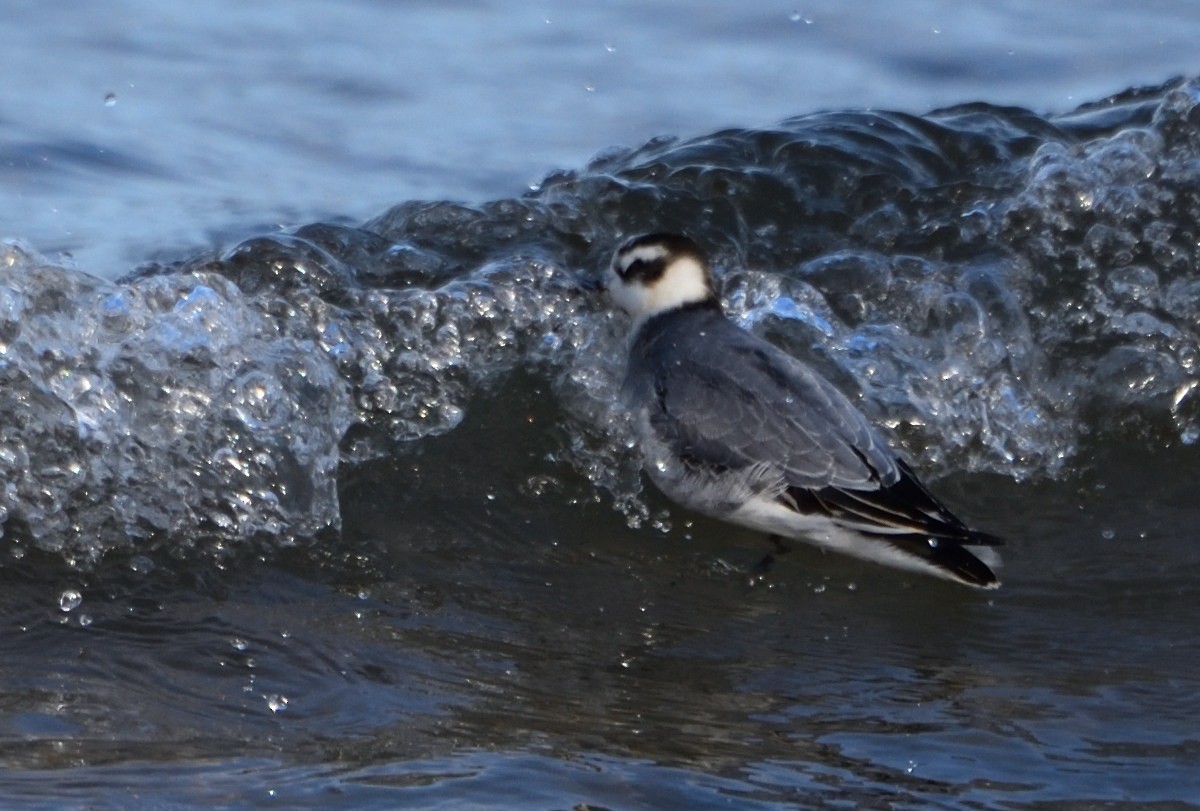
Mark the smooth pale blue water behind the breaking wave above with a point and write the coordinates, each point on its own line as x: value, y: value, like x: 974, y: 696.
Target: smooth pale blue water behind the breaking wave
x: 133, y: 131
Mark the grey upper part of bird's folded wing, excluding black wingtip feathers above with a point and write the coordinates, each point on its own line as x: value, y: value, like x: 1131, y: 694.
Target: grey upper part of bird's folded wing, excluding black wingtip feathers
x: 733, y: 400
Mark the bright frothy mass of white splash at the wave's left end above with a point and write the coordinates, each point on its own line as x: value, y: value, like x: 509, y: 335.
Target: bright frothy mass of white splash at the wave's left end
x: 161, y: 408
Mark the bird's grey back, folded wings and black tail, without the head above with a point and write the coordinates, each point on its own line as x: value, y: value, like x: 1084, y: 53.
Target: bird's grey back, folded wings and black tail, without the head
x: 719, y: 400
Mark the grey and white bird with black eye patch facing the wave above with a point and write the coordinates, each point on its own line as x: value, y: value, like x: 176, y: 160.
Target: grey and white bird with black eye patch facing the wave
x: 734, y: 428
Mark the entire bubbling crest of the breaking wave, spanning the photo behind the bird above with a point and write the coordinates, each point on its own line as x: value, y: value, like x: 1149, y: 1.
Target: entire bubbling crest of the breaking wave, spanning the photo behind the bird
x: 993, y: 287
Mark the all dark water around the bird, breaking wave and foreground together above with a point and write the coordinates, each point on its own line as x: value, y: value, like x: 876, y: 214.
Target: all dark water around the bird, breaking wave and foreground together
x: 344, y: 516
